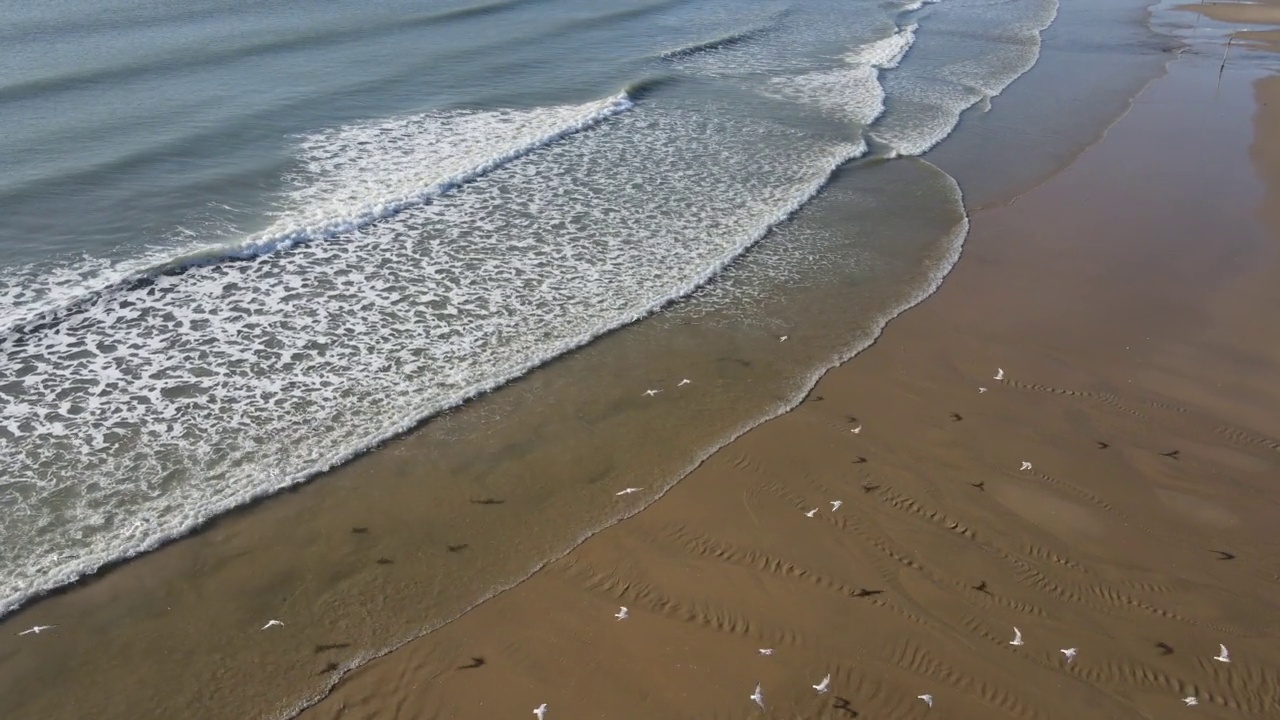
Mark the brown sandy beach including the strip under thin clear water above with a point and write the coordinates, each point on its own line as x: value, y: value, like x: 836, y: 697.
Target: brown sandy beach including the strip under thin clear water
x: 1077, y: 436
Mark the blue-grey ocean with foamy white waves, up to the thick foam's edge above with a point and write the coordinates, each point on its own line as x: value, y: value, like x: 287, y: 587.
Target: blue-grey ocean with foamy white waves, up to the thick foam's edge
x: 244, y: 244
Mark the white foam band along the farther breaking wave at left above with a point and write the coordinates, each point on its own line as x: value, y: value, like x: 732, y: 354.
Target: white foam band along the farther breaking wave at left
x: 348, y: 179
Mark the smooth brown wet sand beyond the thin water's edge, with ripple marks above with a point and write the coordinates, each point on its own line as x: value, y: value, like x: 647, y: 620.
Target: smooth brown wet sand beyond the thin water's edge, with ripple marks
x: 1131, y: 304
